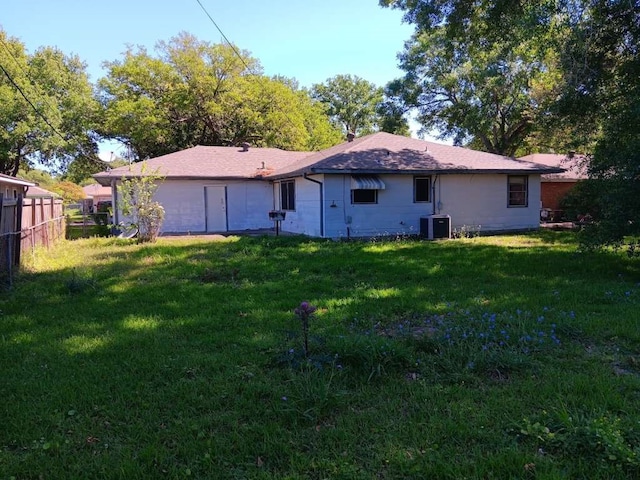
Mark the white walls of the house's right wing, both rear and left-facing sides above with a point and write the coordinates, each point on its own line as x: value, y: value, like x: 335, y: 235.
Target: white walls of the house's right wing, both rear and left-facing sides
x: 472, y: 201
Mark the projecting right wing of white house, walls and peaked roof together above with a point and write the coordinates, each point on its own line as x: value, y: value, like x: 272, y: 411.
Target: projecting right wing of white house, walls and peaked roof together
x: 474, y: 189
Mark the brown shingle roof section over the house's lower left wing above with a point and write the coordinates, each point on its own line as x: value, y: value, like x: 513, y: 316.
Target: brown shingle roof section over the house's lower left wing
x: 204, y: 162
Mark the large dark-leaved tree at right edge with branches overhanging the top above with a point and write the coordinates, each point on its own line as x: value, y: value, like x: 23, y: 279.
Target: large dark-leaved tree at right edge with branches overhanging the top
x: 596, y: 57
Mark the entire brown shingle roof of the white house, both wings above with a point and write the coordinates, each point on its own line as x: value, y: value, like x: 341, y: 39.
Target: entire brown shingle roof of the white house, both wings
x: 376, y: 153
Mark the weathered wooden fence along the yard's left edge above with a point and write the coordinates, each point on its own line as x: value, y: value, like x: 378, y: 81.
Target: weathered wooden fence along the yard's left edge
x: 24, y: 225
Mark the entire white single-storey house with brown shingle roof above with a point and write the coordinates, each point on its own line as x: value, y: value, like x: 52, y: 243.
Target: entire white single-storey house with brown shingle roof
x: 374, y: 185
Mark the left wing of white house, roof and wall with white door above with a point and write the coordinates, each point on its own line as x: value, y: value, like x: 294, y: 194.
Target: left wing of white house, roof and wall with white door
x: 210, y: 189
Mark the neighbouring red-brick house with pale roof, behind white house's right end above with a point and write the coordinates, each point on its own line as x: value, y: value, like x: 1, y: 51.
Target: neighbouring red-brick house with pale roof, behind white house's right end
x: 555, y: 186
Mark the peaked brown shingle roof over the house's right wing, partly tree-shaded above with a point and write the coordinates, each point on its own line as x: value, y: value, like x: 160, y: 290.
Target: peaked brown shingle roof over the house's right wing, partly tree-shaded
x: 387, y: 153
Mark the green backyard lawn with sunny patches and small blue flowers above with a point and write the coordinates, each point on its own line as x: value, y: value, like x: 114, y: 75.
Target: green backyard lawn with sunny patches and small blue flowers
x: 493, y: 357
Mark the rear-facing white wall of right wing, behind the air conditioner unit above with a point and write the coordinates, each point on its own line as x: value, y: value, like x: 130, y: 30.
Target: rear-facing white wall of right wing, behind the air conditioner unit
x: 470, y: 200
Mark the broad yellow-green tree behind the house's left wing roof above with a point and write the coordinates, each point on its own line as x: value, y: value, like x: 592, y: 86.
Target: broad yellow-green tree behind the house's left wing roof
x: 193, y: 92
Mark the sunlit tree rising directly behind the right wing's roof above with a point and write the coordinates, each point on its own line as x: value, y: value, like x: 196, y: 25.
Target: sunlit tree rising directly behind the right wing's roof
x: 475, y: 88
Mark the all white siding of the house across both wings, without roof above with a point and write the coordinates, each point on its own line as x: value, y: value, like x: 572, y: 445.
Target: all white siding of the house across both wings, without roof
x: 471, y: 200
